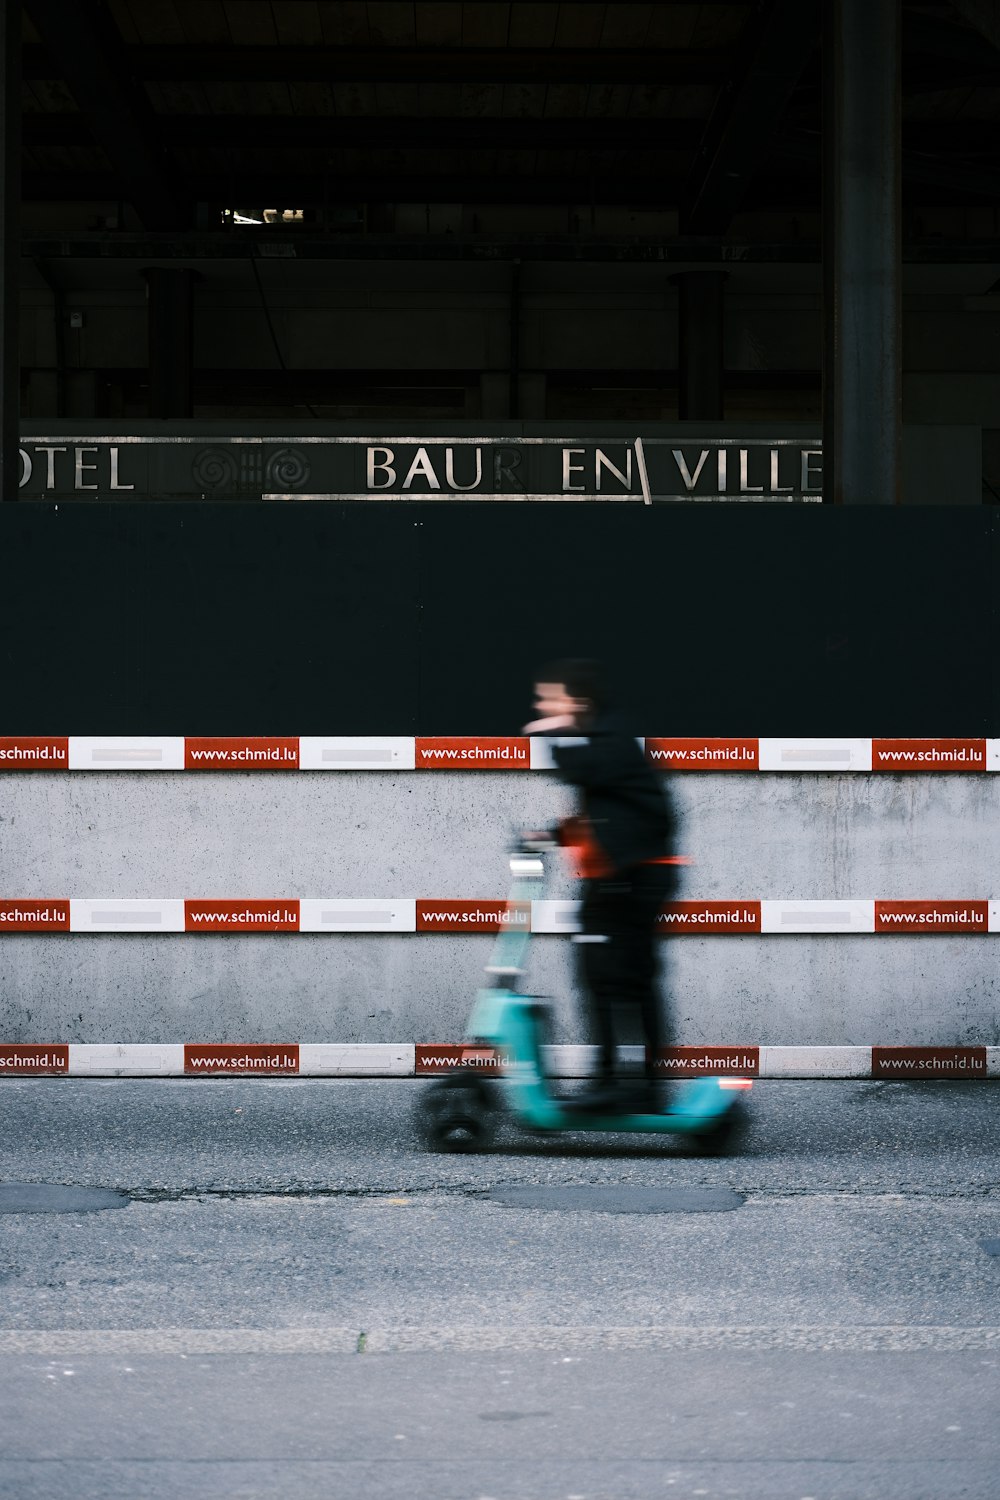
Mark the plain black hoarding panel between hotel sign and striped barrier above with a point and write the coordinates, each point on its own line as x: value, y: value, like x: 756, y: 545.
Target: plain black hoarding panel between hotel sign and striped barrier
x: 430, y: 619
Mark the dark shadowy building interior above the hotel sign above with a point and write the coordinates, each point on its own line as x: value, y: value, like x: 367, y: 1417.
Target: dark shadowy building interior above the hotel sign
x: 585, y: 212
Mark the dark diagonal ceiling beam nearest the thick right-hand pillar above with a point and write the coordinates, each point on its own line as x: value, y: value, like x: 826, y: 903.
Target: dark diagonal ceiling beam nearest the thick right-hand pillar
x: 782, y: 40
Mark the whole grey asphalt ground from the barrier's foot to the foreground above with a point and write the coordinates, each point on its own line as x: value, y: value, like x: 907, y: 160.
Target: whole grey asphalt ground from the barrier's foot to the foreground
x: 299, y: 1303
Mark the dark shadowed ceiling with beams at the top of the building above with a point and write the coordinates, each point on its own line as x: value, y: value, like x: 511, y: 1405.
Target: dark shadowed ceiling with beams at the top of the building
x: 175, y: 115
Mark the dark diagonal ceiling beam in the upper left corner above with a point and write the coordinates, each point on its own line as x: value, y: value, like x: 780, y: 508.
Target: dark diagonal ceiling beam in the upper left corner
x: 85, y: 46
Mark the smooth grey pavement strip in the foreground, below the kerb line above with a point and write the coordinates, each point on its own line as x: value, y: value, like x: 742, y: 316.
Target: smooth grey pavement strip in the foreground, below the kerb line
x: 525, y: 1426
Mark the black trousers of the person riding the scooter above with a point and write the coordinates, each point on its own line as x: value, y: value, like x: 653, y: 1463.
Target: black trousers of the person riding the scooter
x: 618, y: 947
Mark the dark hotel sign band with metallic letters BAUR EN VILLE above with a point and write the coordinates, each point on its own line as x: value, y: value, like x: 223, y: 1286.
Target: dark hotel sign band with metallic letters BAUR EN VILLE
x: 648, y: 470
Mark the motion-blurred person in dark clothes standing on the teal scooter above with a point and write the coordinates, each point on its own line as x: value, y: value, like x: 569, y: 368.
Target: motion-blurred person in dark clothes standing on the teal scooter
x: 623, y: 841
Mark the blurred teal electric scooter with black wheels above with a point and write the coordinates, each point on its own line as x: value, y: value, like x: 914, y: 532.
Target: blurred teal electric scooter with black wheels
x: 460, y: 1111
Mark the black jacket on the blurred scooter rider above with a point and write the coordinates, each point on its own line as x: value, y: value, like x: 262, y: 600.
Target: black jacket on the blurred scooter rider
x: 620, y: 794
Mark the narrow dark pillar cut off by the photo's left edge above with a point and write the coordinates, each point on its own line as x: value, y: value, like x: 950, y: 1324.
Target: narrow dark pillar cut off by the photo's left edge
x: 10, y: 248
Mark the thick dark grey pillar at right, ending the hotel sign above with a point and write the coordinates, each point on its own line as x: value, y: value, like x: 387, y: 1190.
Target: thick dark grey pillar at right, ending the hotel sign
x: 863, y: 382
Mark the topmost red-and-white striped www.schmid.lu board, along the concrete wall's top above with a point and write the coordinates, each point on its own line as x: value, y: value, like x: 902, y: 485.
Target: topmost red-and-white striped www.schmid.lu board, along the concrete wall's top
x: 707, y: 754
